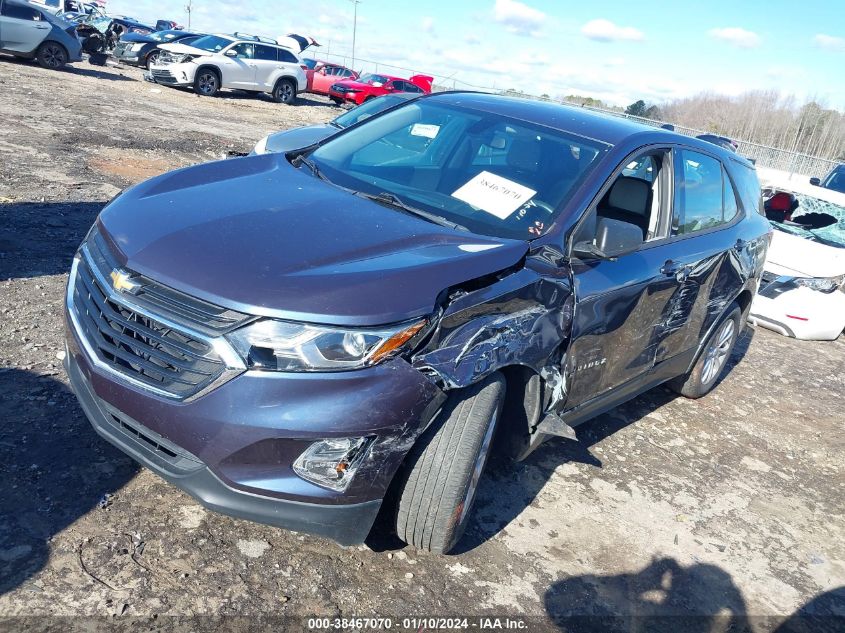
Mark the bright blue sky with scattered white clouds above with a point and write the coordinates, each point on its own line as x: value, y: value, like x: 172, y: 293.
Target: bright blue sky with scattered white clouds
x: 615, y: 50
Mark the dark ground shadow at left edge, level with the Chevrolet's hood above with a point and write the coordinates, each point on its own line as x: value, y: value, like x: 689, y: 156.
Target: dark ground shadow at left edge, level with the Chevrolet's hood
x: 38, y: 239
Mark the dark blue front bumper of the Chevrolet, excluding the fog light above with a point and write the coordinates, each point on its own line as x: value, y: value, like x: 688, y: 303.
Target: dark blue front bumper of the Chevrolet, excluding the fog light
x: 233, y: 448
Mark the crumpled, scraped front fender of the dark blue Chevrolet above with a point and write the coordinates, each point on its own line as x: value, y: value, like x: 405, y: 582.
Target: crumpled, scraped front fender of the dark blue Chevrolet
x: 519, y: 320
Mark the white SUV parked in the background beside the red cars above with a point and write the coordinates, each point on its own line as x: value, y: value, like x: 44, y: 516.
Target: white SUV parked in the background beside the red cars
x: 238, y: 62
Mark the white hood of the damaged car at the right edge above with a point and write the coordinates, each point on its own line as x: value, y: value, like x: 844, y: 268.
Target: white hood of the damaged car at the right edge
x: 797, y: 256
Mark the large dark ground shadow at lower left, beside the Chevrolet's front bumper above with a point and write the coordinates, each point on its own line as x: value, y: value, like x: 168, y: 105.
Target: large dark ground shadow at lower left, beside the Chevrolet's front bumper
x: 53, y: 470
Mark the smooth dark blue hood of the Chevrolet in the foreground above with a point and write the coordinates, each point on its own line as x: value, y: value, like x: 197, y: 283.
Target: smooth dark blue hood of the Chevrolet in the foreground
x: 260, y: 236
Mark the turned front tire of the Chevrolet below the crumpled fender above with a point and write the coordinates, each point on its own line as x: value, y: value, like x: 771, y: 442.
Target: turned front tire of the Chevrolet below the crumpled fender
x: 440, y: 476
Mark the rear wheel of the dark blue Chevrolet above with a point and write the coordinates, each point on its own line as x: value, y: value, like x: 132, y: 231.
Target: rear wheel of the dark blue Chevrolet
x: 714, y: 357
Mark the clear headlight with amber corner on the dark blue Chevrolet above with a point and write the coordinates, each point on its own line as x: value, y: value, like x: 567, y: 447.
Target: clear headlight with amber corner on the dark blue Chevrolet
x: 286, y: 346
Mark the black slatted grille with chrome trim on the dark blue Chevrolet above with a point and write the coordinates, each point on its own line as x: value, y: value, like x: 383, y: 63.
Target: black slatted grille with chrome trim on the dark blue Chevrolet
x: 144, y: 345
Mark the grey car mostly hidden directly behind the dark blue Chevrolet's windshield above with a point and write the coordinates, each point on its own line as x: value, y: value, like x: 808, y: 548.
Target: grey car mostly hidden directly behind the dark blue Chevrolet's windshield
x: 296, y: 138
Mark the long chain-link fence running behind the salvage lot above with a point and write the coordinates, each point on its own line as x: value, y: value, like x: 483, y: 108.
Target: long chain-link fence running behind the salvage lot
x: 763, y: 155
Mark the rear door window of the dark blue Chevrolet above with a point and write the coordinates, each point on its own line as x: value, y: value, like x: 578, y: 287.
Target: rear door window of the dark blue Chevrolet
x: 698, y: 193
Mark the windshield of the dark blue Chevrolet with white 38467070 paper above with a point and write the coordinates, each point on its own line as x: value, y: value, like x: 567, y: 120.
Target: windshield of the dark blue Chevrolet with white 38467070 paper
x: 494, y: 175
